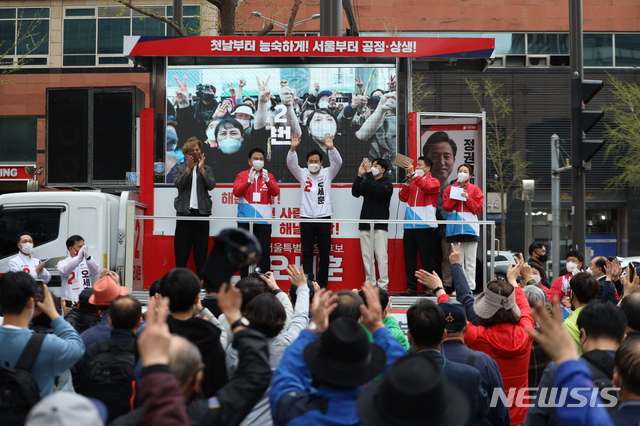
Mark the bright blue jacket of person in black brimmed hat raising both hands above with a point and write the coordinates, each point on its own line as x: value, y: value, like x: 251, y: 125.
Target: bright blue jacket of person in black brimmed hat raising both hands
x: 295, y: 402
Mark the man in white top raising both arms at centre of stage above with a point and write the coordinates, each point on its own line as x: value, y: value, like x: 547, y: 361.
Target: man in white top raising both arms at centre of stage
x: 315, y: 183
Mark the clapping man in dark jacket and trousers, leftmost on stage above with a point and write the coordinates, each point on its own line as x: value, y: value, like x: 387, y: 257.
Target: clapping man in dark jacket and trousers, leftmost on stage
x: 194, y: 180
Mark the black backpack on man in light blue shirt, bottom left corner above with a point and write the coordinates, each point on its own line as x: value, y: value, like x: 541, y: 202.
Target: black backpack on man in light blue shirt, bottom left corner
x: 19, y: 390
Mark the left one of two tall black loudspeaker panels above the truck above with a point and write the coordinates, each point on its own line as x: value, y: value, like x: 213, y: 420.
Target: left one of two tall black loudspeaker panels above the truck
x: 67, y: 136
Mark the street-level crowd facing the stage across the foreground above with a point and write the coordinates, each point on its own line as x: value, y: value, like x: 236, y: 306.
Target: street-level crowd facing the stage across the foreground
x: 521, y: 352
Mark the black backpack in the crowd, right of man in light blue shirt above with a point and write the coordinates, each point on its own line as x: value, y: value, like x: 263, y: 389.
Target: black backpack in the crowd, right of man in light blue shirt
x: 109, y: 376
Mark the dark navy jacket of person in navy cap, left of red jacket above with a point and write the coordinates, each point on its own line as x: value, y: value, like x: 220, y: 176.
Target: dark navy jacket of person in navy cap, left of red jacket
x: 490, y: 377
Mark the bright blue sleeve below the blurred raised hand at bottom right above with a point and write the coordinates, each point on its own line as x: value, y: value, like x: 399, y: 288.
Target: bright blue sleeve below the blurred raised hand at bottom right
x: 576, y: 374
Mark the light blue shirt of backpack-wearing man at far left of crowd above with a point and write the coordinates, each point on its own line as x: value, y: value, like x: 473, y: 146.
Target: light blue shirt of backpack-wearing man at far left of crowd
x: 57, y: 354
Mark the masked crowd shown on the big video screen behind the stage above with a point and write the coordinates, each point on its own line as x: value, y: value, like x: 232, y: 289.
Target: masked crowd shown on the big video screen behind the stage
x: 361, y: 124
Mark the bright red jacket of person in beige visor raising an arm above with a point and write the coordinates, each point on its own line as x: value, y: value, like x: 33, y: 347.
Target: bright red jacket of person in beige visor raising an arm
x: 510, y: 346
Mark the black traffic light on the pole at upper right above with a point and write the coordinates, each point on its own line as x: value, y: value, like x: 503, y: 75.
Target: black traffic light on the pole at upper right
x: 582, y: 120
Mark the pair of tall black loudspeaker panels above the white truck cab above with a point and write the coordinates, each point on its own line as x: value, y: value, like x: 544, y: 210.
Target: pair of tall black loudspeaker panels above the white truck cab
x: 91, y: 135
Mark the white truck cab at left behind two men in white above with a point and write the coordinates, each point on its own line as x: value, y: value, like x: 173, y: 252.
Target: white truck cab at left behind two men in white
x: 105, y: 221
